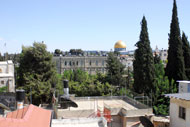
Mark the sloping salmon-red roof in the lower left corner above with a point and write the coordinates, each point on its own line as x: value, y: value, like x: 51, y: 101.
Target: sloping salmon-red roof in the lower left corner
x: 30, y: 116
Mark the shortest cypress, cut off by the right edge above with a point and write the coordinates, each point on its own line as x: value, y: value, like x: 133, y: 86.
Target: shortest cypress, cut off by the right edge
x: 186, y: 54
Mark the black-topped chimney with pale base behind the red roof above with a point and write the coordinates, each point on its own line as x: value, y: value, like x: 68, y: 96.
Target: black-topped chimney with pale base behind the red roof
x: 20, y: 95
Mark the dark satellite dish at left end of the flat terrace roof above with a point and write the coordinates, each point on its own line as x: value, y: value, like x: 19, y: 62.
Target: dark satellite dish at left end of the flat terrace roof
x: 66, y: 102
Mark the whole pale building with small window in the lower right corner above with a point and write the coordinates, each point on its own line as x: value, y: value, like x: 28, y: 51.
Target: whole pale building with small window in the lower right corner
x: 180, y: 105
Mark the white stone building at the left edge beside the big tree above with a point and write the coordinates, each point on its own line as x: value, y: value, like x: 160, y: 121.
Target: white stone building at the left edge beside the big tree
x: 7, y: 75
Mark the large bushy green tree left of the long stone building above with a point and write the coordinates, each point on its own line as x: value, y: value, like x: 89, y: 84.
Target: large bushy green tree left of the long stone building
x: 36, y: 72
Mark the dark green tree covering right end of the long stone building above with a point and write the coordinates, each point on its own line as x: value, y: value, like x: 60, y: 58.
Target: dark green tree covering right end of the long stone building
x: 115, y: 70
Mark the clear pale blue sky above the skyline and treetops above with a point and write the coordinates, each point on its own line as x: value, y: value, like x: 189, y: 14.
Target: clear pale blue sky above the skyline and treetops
x: 86, y: 24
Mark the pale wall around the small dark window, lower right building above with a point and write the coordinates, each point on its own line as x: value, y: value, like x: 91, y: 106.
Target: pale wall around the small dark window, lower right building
x: 175, y: 121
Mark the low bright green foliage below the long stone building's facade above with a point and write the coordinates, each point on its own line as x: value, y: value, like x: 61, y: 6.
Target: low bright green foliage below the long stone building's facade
x: 83, y: 84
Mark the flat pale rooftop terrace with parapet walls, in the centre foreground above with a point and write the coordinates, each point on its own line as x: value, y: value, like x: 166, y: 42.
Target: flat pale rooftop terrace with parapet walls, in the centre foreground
x: 87, y: 106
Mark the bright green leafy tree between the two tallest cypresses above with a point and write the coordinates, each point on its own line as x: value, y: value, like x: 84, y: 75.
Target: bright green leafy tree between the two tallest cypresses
x: 161, y: 87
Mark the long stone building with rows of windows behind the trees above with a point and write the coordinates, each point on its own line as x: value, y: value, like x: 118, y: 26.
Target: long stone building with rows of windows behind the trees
x: 90, y: 64
